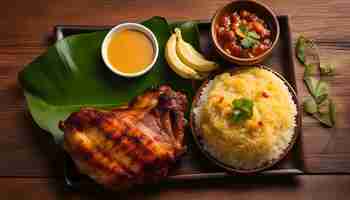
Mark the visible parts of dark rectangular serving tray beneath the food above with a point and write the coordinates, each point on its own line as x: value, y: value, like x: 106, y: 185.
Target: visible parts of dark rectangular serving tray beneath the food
x: 193, y: 165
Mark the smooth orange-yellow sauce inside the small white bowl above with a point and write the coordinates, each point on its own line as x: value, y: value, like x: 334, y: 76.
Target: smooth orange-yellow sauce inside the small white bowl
x: 130, y: 51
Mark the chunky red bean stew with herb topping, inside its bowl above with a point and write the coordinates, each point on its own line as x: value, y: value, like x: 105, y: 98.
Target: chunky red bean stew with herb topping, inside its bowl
x: 243, y: 34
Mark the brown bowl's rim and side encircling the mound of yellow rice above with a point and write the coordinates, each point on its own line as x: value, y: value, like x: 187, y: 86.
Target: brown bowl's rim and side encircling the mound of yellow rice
x: 196, y: 132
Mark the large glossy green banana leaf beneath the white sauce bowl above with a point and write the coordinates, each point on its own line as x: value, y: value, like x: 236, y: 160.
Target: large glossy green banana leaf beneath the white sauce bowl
x: 71, y: 74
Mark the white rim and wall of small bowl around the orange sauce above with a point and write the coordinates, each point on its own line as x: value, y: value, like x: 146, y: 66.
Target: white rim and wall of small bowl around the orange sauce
x: 129, y: 26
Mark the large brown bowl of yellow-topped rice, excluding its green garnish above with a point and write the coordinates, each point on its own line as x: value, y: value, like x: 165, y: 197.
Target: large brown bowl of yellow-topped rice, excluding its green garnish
x: 259, y: 141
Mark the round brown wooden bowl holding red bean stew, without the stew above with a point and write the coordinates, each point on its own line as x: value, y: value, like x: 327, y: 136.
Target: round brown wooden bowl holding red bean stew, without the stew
x: 263, y: 12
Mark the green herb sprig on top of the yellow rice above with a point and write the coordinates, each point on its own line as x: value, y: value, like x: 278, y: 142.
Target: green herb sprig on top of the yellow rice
x: 242, y: 110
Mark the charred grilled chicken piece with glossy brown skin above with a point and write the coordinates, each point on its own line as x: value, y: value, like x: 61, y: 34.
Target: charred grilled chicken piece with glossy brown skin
x: 128, y: 146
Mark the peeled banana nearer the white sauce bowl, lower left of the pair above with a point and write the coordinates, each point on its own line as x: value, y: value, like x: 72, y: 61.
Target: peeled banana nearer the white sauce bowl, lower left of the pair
x: 176, y: 64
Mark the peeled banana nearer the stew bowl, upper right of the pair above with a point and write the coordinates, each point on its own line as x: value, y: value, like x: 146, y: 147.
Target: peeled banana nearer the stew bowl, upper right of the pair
x: 190, y: 56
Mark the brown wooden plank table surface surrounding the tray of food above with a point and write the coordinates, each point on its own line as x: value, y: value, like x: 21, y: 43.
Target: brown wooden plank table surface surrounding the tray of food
x: 30, y: 166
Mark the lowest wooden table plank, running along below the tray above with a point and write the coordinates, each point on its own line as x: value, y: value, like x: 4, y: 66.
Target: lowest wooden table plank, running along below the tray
x: 302, y: 187
